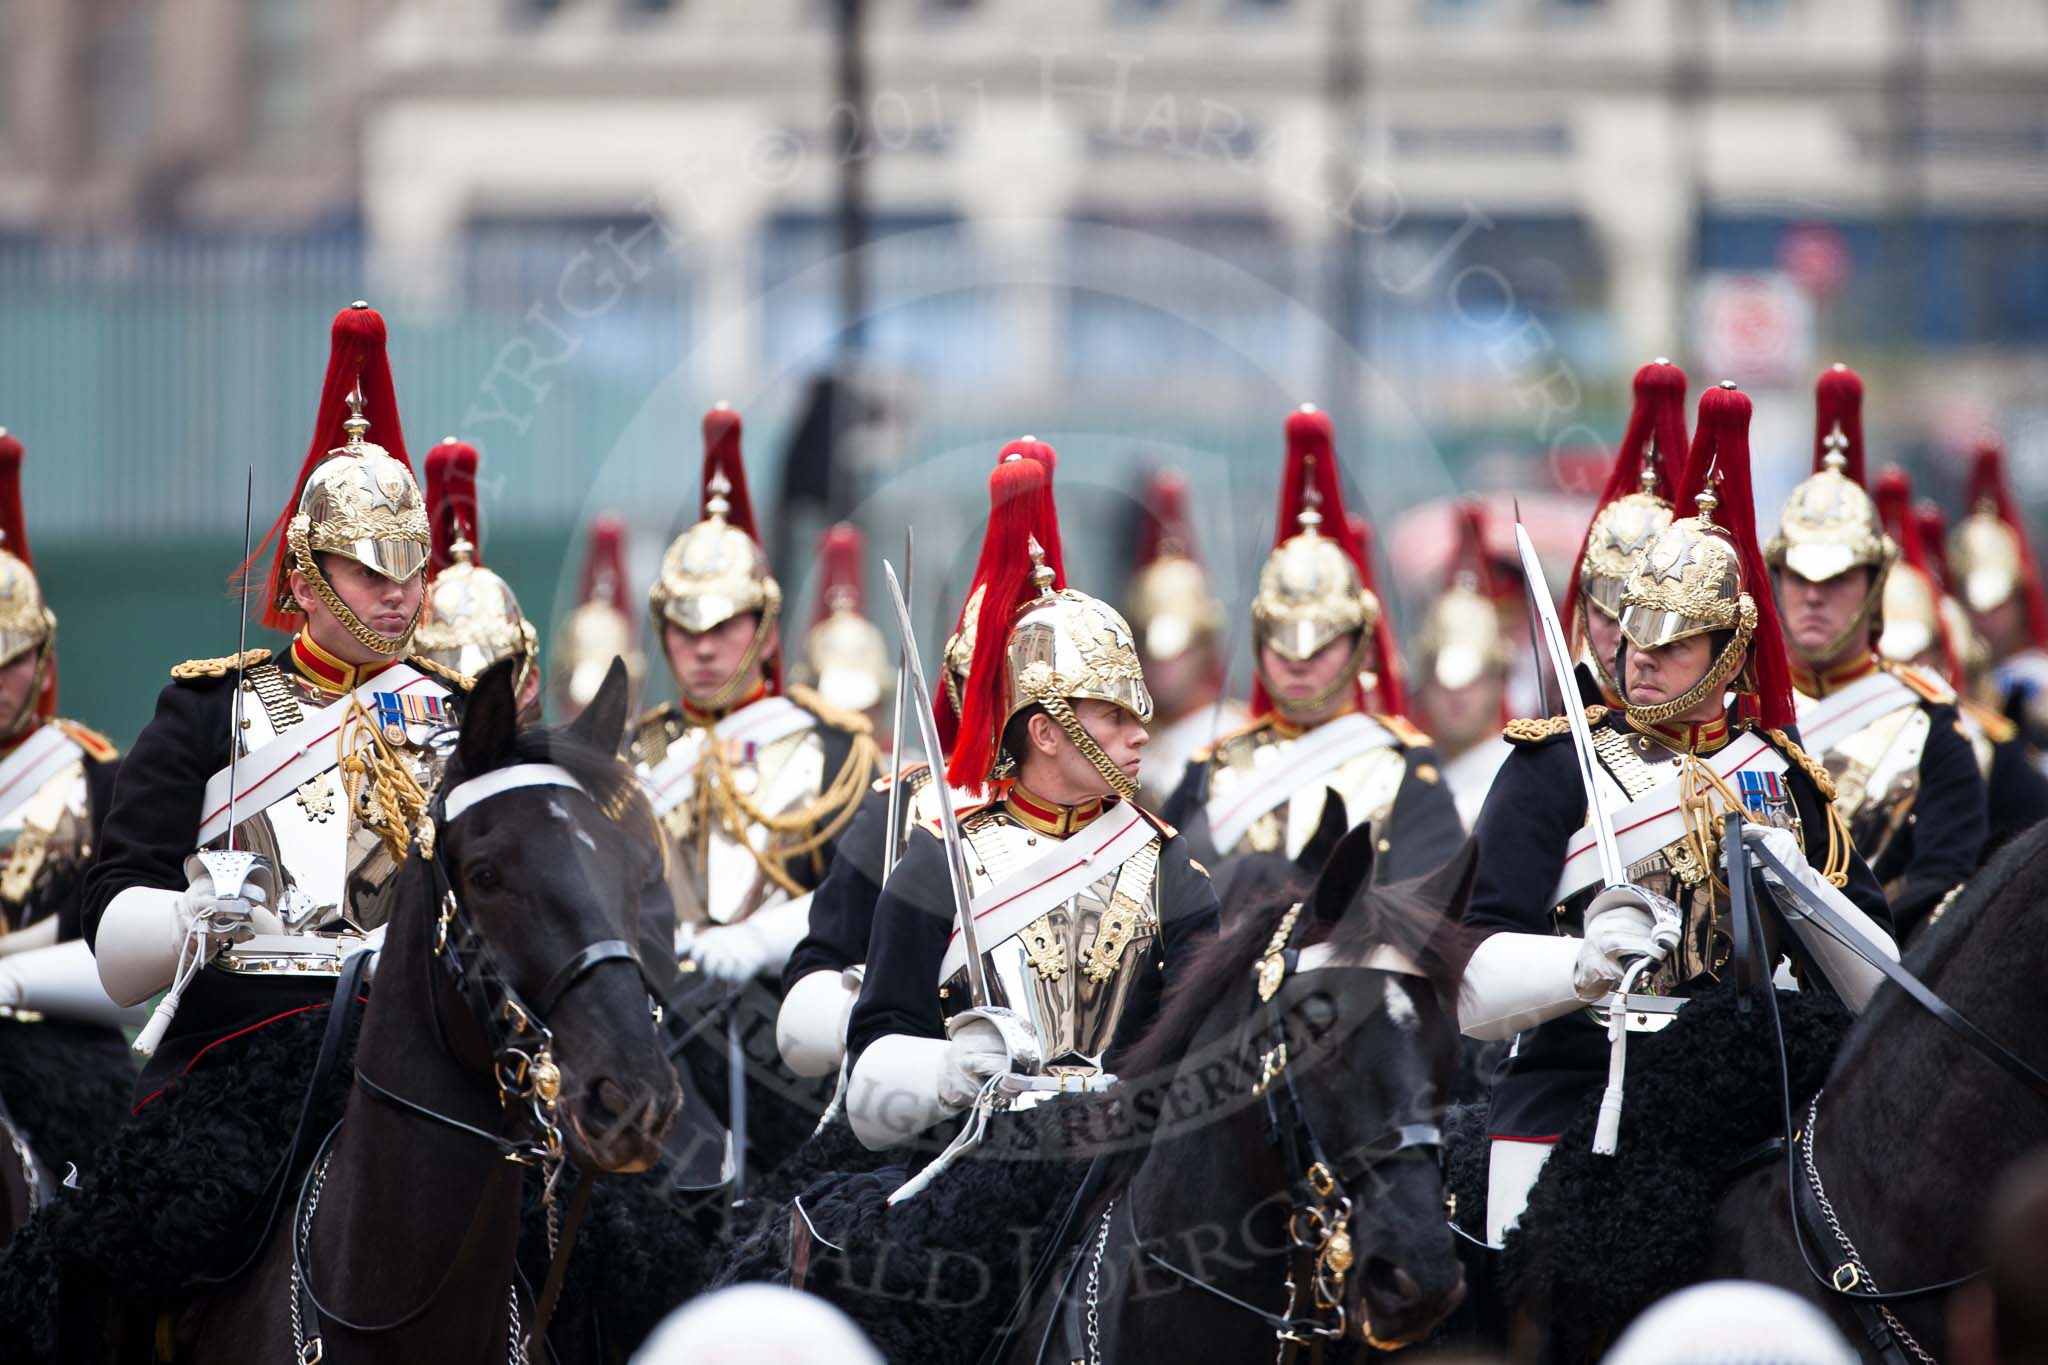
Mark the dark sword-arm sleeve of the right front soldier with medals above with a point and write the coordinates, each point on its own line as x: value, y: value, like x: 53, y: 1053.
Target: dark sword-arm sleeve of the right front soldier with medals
x: 1535, y: 807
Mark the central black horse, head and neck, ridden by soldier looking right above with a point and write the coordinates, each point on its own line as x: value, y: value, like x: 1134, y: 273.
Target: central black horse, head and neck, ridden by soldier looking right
x: 1295, y: 1080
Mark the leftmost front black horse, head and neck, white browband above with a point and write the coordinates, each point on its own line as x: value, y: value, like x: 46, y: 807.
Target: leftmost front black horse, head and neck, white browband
x: 509, y: 1014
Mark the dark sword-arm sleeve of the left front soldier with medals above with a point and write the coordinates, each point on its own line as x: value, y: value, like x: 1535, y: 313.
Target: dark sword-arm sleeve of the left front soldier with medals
x: 153, y: 822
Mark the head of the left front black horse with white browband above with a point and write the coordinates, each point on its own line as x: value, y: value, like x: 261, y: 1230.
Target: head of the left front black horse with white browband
x: 552, y: 852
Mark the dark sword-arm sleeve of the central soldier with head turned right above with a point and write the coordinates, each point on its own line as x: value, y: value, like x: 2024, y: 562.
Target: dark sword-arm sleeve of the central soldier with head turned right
x: 912, y: 924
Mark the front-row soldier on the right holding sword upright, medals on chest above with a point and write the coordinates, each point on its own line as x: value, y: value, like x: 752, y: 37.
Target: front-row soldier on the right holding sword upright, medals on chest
x: 1697, y: 623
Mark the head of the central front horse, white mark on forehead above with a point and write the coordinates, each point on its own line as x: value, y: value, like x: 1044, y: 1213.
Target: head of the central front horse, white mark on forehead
x: 1369, y: 1014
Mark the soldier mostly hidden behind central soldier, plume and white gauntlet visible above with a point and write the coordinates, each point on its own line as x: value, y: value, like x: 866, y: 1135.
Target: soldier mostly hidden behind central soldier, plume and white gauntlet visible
x: 824, y: 975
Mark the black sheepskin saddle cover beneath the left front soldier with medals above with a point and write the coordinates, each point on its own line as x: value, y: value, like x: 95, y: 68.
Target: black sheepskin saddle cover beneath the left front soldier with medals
x: 175, y: 1194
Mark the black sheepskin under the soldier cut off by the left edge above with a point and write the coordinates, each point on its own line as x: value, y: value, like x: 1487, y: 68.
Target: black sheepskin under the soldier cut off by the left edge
x: 67, y: 1086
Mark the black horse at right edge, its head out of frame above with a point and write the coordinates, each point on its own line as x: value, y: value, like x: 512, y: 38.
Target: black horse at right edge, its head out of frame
x: 1914, y: 1127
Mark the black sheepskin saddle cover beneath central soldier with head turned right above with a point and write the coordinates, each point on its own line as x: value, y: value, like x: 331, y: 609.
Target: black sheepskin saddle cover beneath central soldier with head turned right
x: 937, y: 1278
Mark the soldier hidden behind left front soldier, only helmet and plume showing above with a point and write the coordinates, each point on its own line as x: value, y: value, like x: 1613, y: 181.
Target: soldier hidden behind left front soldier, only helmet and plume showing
x: 470, y: 619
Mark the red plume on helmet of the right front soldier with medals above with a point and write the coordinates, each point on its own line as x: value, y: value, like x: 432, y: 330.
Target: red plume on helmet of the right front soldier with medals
x: 1719, y: 459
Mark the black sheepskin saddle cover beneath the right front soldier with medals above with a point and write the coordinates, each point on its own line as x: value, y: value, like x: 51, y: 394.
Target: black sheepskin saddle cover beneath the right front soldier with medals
x: 1605, y: 1237
